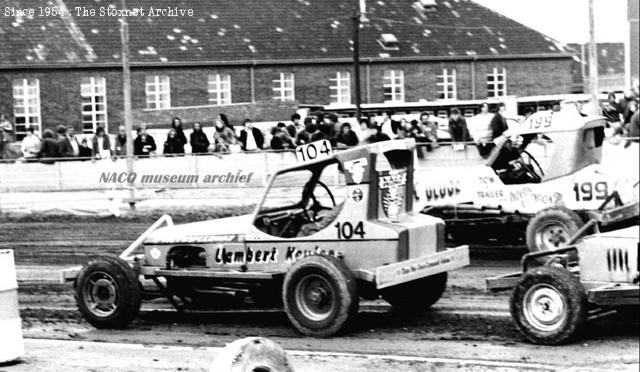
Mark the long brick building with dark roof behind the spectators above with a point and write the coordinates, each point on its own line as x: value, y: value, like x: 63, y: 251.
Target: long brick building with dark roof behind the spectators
x: 261, y: 58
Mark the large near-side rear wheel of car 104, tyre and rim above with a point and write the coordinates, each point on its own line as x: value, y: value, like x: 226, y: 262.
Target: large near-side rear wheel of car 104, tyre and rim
x: 319, y: 295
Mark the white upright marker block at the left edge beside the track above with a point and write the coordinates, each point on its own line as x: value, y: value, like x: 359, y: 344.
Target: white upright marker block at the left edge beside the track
x: 11, y: 342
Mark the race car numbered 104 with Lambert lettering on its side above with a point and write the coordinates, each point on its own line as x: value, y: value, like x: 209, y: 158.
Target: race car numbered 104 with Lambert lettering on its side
x: 328, y: 231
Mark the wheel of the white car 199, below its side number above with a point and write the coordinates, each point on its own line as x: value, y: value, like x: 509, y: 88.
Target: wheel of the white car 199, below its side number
x: 552, y: 228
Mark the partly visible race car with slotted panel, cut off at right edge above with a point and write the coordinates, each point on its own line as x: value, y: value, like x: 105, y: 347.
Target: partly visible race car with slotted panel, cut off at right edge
x: 559, y: 290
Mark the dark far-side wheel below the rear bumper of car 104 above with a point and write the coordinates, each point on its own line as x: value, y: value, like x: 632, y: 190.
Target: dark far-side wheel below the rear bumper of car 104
x: 417, y: 295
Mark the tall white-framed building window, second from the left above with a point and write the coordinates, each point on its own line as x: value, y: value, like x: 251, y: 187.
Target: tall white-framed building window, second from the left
x: 93, y: 91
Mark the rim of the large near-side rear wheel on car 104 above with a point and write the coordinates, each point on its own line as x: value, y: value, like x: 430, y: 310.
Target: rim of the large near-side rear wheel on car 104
x: 315, y: 298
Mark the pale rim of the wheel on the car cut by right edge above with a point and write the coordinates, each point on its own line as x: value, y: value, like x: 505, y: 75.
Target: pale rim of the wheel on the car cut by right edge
x: 544, y: 308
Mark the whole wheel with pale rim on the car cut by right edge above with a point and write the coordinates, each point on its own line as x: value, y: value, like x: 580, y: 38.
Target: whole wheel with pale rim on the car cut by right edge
x: 549, y: 305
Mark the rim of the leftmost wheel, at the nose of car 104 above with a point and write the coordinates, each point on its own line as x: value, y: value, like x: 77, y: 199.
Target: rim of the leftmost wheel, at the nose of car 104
x: 100, y: 294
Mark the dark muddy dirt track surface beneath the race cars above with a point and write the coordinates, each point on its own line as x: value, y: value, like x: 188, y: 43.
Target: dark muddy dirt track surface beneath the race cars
x: 467, y: 323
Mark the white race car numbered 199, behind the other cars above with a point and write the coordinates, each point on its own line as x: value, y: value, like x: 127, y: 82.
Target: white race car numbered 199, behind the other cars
x: 543, y: 176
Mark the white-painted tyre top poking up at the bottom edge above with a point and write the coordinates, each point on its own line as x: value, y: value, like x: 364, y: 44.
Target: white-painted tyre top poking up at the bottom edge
x: 252, y: 354
